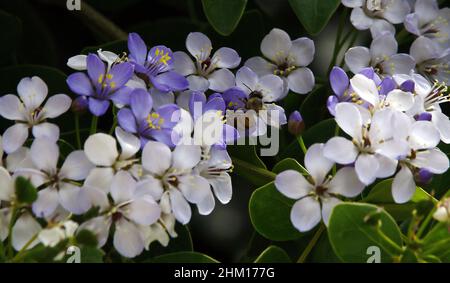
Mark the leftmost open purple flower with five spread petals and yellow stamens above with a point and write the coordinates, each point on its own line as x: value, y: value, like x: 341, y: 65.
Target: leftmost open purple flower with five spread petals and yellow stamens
x: 102, y: 84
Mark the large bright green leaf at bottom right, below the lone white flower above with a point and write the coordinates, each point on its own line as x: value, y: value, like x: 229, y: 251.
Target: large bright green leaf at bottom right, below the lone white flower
x: 352, y: 232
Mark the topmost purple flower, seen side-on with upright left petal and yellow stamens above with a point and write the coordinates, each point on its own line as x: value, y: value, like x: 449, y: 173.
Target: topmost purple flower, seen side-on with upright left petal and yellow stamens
x: 154, y: 66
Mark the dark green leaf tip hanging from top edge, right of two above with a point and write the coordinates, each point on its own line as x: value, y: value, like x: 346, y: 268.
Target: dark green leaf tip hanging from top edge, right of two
x: 314, y: 14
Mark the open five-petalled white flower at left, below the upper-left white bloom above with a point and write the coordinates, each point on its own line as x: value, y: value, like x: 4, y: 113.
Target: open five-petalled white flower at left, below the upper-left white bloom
x: 59, y: 183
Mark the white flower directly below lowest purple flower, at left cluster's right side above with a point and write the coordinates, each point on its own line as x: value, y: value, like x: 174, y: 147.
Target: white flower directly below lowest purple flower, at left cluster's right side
x: 172, y: 181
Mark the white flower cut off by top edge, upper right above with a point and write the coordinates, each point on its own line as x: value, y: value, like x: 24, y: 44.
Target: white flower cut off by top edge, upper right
x: 378, y: 15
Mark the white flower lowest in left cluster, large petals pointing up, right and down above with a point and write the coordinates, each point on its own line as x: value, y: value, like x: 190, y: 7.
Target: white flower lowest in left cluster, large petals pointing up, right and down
x: 131, y: 209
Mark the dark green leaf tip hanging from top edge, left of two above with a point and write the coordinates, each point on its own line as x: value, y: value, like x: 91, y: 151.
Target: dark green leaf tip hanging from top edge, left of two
x: 224, y: 15
